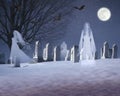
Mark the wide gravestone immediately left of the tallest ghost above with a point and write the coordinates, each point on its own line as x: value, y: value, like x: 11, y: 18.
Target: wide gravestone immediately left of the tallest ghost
x: 74, y: 54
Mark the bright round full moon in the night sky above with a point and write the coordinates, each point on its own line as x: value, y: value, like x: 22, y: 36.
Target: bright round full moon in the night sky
x: 104, y: 14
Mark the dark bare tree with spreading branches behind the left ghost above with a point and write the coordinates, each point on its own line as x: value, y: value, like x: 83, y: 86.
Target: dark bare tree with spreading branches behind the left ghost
x: 34, y: 19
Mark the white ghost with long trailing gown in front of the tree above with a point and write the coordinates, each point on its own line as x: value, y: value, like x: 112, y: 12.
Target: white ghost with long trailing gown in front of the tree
x: 16, y: 52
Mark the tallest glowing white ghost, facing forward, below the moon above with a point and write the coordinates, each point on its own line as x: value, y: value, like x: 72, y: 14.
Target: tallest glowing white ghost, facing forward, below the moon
x: 87, y: 48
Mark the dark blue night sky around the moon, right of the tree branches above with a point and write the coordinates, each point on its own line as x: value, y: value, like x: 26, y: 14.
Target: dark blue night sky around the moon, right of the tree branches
x: 102, y: 31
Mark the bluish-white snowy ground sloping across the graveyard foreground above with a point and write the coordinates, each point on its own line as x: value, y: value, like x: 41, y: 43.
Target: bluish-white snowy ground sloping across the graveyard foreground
x: 91, y: 78
